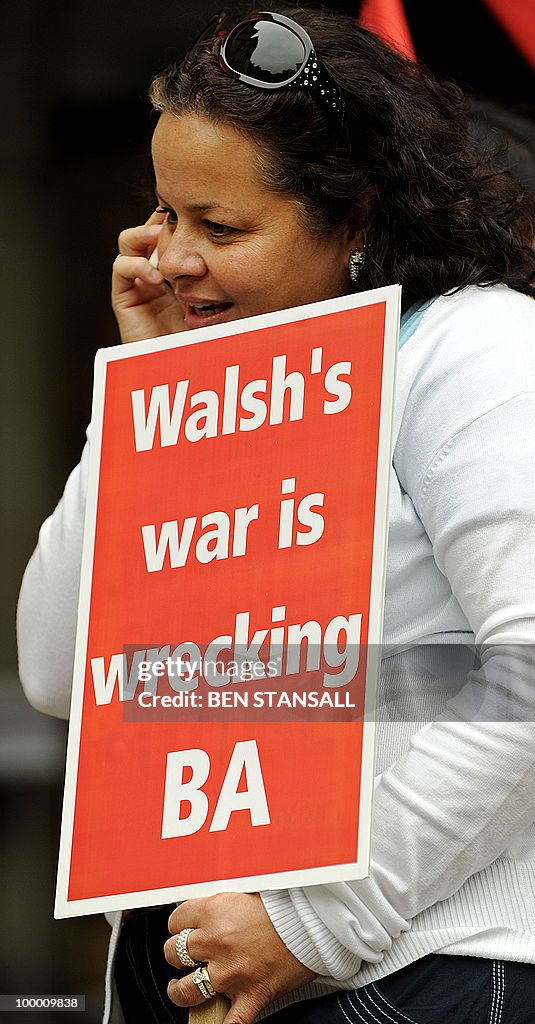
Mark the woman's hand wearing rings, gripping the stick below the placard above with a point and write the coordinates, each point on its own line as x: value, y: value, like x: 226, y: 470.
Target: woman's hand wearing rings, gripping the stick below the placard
x: 245, y: 957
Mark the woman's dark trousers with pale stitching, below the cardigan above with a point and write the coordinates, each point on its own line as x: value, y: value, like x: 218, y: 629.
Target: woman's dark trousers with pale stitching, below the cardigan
x: 436, y: 990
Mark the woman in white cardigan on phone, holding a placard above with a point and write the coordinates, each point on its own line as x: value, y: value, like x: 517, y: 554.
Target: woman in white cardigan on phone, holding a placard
x: 276, y: 188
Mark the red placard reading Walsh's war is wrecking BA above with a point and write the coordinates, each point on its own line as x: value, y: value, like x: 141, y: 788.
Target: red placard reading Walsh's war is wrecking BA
x: 230, y: 609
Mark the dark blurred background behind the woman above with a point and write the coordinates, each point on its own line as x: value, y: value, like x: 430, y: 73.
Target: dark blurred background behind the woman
x: 74, y: 173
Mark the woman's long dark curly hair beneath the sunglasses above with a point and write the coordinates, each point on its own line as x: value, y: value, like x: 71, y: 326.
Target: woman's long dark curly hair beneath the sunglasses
x: 438, y: 216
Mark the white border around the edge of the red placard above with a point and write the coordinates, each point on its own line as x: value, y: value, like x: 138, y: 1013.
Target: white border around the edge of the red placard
x: 65, y: 908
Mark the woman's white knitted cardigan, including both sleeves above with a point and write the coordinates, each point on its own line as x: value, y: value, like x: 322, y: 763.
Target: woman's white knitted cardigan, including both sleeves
x: 454, y: 839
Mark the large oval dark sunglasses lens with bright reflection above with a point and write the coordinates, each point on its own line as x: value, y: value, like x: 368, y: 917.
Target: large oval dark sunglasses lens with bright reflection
x: 265, y: 51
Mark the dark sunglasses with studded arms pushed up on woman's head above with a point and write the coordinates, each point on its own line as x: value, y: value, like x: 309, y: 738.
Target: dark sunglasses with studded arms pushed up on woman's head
x: 269, y: 52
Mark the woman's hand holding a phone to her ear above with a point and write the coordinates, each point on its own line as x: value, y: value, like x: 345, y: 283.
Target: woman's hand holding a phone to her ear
x: 144, y: 306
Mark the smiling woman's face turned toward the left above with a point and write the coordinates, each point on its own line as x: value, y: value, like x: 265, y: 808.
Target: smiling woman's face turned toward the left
x: 229, y: 247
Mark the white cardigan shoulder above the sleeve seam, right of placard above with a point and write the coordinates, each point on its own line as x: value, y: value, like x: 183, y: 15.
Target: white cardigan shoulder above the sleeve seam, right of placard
x: 470, y: 354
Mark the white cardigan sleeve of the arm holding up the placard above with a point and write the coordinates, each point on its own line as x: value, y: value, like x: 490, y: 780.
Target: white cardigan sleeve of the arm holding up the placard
x: 466, y: 788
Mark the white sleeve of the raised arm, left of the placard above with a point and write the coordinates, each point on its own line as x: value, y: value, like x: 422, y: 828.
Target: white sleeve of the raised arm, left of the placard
x: 48, y: 609
